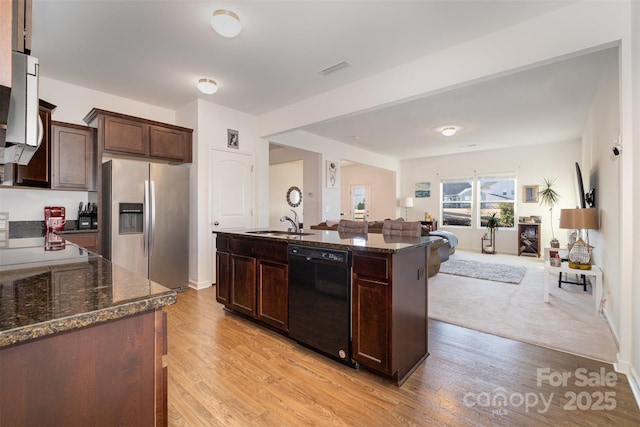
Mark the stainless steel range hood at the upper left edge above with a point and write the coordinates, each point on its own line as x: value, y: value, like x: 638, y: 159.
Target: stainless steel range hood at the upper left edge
x: 24, y: 127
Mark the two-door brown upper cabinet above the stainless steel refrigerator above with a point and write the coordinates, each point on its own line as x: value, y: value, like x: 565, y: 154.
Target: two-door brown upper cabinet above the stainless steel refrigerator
x: 141, y: 138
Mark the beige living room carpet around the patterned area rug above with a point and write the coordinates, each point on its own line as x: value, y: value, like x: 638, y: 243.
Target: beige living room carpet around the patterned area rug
x: 569, y: 322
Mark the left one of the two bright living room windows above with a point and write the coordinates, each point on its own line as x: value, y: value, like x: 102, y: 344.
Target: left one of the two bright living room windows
x: 457, y: 198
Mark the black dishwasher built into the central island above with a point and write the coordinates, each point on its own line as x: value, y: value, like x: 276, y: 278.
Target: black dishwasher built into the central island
x: 320, y: 300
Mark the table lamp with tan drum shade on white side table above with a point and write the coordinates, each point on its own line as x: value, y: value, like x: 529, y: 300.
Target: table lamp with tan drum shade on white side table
x: 580, y: 219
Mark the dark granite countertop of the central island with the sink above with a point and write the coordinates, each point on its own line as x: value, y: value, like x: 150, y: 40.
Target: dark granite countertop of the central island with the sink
x: 372, y: 242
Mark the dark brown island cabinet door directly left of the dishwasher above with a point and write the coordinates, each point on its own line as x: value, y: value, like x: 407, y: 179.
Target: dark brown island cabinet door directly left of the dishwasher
x: 273, y: 294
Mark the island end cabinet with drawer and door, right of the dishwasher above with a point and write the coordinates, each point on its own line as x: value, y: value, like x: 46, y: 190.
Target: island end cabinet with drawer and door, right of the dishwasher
x: 389, y: 311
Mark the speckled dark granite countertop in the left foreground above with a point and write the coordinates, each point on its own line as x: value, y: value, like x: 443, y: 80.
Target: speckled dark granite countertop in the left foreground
x: 44, y: 292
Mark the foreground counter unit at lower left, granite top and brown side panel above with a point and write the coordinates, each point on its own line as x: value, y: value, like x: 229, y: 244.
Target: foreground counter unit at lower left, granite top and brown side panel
x: 81, y: 339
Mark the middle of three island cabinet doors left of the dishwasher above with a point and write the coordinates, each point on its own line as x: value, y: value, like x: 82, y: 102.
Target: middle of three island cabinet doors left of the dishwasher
x: 242, y: 293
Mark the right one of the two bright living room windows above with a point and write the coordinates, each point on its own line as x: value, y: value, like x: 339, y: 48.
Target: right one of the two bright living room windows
x: 497, y: 195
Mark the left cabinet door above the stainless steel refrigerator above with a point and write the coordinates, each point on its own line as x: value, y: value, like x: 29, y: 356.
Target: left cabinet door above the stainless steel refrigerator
x: 126, y: 136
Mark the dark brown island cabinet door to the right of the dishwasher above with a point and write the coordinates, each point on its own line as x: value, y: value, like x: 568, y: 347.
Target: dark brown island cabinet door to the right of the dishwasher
x: 371, y: 323
